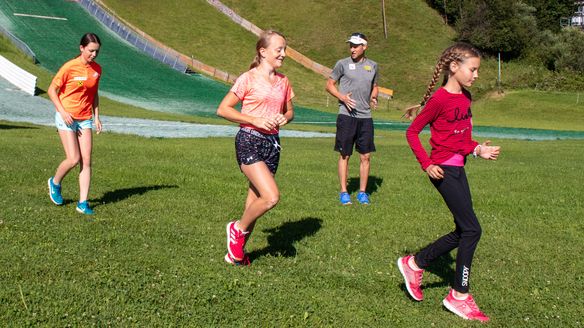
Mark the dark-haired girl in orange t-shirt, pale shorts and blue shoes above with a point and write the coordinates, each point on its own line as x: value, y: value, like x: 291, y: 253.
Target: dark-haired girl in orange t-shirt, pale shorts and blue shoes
x: 73, y: 91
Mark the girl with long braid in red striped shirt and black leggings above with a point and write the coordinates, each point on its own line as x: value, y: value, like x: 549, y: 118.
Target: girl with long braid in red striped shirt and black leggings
x: 450, y: 118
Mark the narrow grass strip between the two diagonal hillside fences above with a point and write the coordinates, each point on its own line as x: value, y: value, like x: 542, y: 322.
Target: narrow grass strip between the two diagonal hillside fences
x: 195, y: 28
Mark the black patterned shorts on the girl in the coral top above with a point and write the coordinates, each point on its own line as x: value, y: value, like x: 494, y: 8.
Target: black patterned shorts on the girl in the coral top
x: 252, y: 146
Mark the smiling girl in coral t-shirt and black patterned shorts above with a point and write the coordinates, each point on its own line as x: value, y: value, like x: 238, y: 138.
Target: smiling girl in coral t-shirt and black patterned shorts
x: 266, y: 105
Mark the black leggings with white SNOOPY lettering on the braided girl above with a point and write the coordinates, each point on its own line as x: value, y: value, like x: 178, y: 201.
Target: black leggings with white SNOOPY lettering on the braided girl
x: 456, y: 193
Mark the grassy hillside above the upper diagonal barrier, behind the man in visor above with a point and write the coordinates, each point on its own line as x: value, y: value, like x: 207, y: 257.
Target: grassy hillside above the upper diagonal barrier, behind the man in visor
x: 416, y: 34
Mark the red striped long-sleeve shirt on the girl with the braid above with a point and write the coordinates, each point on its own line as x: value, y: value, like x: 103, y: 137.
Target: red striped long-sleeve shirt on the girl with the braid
x: 450, y: 119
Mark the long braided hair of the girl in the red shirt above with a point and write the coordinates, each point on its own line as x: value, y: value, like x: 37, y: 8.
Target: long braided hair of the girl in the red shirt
x: 457, y: 52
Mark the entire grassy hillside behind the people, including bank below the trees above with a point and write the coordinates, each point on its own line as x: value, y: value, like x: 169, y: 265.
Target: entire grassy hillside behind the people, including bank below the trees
x: 406, y: 57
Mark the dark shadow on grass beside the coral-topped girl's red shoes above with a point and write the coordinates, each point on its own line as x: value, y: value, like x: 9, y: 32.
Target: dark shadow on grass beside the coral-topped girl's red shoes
x: 281, y: 239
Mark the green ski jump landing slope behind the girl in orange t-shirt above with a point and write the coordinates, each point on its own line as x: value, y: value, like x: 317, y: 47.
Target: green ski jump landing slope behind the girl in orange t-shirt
x: 53, y: 28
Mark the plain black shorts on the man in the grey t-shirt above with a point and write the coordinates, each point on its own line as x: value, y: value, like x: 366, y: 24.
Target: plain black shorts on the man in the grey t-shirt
x: 354, y: 131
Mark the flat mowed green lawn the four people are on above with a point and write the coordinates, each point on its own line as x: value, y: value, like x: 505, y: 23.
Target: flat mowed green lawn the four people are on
x: 153, y: 254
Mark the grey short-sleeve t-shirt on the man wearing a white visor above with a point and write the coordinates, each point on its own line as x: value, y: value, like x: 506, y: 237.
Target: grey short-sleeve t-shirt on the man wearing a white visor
x: 358, y: 79
